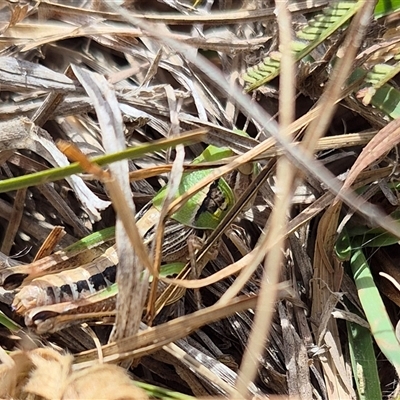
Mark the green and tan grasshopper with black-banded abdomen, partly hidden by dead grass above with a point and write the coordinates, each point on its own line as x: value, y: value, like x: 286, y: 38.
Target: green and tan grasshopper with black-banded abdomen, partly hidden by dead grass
x: 91, y: 279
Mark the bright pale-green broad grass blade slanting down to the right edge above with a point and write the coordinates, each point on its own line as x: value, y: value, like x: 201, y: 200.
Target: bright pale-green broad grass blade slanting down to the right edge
x: 374, y: 309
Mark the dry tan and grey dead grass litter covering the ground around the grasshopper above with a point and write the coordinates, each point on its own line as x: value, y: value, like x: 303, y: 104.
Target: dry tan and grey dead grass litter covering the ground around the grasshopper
x: 88, y: 75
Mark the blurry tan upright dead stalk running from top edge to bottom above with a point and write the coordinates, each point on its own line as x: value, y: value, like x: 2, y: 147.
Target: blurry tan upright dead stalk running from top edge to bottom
x: 277, y: 224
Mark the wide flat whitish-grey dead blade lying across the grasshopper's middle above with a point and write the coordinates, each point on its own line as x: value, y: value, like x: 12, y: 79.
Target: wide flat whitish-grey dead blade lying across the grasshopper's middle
x: 132, y: 253
